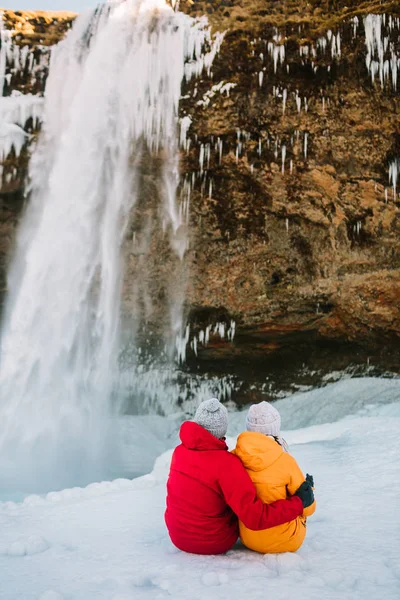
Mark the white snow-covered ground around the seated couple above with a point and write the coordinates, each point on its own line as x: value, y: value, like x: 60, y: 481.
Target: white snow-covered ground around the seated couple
x: 108, y: 541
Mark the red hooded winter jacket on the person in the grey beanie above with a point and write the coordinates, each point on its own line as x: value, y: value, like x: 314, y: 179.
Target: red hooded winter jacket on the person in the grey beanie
x: 208, y: 490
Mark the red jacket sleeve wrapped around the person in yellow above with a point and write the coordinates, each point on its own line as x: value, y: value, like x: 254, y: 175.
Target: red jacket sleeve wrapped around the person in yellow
x: 240, y: 494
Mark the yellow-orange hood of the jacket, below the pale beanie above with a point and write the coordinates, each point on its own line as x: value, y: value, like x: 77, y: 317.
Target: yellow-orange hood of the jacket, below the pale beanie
x: 257, y: 451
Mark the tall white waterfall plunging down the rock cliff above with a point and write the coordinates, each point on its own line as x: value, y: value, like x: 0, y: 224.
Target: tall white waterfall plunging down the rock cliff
x: 111, y: 101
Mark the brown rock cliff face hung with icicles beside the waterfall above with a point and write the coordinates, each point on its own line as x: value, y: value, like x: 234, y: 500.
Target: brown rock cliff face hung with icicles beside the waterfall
x: 294, y: 225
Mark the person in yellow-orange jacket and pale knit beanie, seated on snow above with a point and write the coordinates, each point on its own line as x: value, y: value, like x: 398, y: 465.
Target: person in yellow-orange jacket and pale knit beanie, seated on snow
x: 276, y: 476
